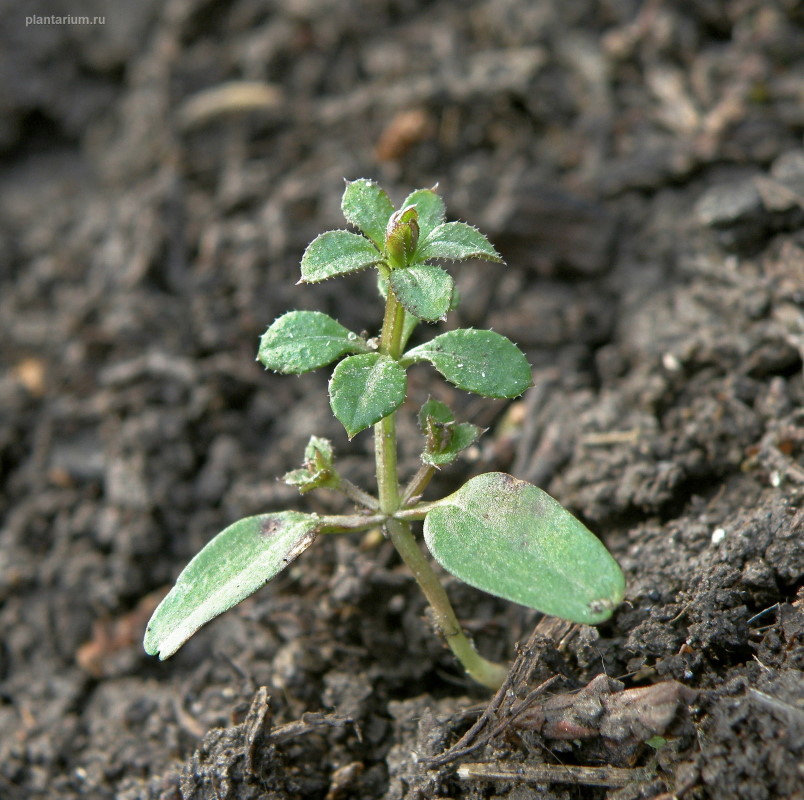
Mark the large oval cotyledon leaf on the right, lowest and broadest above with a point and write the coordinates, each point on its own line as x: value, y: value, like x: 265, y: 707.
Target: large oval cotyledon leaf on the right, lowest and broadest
x: 513, y: 540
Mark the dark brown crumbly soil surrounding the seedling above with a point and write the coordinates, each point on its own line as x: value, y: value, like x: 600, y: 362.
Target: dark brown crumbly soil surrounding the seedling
x: 640, y: 166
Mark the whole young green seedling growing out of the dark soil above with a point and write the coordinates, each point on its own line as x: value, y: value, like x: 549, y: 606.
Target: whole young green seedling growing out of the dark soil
x: 496, y: 533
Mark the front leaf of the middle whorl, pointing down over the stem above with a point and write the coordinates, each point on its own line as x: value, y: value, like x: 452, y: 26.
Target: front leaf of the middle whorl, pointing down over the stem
x: 366, y: 388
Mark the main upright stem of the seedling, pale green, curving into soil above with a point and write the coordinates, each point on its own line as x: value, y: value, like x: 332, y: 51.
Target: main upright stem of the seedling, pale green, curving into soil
x: 480, y: 669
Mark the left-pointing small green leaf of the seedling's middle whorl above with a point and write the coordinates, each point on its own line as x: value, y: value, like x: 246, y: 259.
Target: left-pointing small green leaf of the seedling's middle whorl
x: 300, y: 341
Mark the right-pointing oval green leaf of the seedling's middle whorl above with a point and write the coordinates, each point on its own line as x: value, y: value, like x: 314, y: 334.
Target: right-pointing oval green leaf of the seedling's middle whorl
x: 477, y: 361
